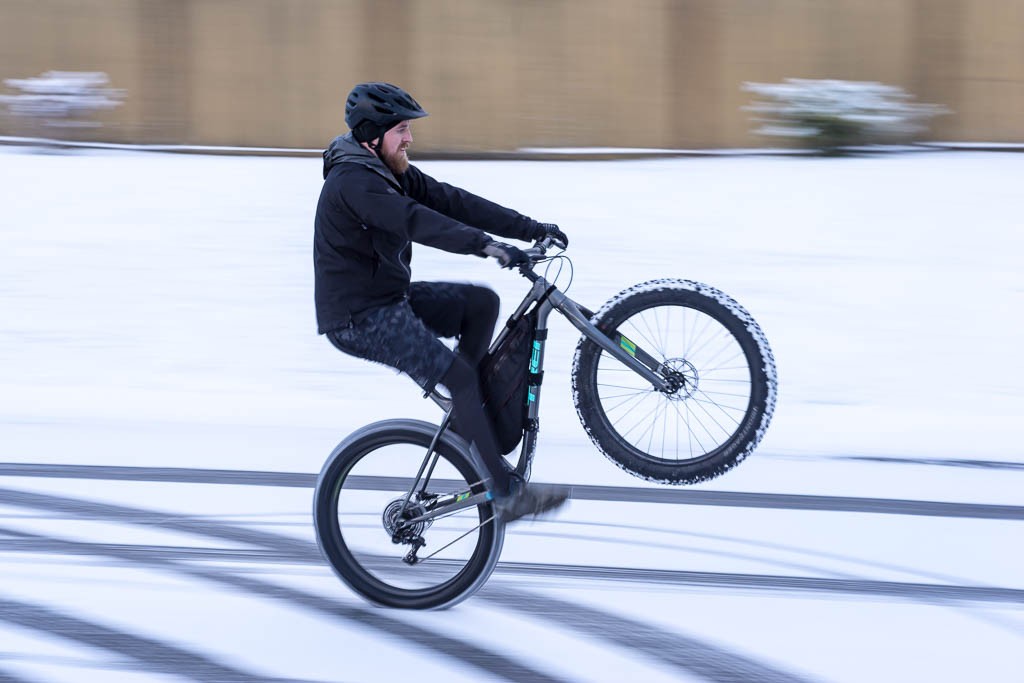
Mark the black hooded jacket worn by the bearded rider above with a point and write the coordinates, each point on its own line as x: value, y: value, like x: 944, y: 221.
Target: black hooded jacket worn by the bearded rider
x: 367, y: 221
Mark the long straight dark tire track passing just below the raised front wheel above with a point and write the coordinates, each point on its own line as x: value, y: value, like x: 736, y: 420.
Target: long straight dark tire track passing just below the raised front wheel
x: 580, y: 492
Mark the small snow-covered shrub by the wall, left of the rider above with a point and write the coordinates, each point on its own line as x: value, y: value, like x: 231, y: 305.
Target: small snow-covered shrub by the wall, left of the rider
x: 62, y: 99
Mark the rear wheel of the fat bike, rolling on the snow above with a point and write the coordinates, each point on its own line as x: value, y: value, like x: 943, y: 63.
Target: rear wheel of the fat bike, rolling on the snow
x: 366, y: 519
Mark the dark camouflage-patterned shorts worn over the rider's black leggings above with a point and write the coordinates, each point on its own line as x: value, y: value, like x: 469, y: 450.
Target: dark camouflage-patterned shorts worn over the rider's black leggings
x: 405, y: 335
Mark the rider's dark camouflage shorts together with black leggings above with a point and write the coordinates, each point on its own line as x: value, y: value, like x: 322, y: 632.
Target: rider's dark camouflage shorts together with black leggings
x: 404, y: 336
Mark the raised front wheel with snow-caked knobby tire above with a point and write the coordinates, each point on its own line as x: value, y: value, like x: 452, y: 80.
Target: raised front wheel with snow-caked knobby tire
x: 721, y: 377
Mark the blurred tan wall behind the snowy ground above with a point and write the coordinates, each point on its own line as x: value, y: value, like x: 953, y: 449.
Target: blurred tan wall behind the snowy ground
x: 510, y: 74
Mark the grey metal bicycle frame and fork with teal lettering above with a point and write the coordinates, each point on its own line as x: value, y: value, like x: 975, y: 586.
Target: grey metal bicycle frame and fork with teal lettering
x: 544, y: 297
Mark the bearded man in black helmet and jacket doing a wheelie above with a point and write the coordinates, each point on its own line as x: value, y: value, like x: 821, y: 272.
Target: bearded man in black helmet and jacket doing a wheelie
x: 373, y: 206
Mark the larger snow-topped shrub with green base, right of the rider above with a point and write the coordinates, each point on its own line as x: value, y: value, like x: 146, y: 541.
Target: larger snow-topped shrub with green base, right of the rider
x: 833, y: 116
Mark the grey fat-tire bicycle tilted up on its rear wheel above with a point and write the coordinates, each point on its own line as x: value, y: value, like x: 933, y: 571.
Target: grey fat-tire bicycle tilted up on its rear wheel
x: 711, y: 397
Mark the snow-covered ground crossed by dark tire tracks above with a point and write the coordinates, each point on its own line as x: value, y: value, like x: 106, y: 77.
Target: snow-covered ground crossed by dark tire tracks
x: 156, y: 313
